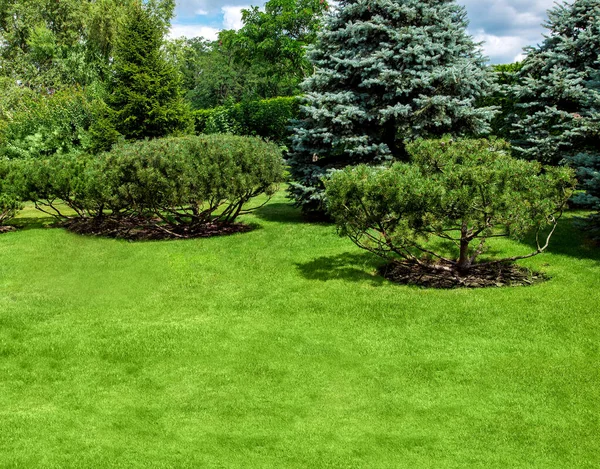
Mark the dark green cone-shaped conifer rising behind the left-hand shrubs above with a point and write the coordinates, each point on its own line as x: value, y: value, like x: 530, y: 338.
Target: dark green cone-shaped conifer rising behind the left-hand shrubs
x: 145, y: 92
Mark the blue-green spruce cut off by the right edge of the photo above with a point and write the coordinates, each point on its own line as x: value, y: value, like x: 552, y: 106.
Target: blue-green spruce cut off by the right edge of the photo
x: 559, y: 96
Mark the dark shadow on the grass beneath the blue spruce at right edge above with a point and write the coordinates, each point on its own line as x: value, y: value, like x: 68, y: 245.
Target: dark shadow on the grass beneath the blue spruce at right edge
x: 569, y: 240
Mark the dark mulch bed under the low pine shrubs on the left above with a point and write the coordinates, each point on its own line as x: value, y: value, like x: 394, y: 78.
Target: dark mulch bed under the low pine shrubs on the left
x: 143, y: 230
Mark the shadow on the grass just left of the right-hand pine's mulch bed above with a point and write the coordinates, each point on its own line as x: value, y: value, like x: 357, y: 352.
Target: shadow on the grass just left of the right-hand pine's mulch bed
x: 354, y: 267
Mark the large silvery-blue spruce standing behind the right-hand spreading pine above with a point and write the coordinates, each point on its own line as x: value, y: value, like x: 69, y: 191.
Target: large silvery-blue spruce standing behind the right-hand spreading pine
x: 387, y: 71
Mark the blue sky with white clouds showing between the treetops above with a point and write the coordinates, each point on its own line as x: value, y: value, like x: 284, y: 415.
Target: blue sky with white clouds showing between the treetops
x: 506, y: 26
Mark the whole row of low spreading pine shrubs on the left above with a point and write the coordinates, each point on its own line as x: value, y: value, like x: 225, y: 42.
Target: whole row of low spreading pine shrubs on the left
x: 166, y: 182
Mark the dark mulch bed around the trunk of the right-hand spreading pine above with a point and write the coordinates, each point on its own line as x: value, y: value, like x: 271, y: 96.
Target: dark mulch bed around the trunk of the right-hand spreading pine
x: 498, y: 275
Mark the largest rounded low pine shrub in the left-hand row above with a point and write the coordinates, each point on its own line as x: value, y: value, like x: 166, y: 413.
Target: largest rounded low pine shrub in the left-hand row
x: 191, y: 180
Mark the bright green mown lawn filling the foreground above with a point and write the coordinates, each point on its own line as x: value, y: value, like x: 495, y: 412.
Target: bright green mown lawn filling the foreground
x: 281, y: 348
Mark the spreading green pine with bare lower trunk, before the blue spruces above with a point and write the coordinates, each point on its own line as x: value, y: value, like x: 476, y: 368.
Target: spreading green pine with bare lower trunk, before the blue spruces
x: 461, y: 193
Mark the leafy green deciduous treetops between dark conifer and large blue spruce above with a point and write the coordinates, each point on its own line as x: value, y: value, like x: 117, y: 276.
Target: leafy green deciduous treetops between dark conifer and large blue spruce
x: 266, y: 58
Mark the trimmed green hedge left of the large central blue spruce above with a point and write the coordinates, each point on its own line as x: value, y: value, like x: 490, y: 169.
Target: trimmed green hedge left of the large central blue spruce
x: 269, y: 118
